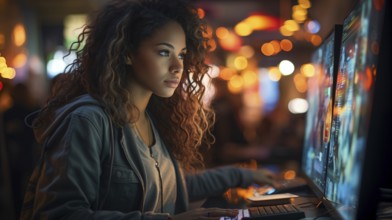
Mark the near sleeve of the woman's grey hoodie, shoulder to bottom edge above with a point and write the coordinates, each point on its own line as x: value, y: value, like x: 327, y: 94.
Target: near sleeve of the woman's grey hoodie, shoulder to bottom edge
x: 68, y: 187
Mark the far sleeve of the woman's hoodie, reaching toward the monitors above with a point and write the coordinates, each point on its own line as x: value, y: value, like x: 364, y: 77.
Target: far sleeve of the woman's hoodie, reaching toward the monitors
x: 216, y: 181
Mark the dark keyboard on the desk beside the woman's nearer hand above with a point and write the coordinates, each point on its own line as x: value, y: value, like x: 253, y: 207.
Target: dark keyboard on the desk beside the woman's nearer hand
x: 277, y: 212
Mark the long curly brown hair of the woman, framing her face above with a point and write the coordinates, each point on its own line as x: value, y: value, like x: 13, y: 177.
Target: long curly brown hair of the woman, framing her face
x: 100, y: 70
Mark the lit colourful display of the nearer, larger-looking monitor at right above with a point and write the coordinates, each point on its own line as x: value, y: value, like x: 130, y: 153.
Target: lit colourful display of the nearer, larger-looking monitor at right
x: 353, y: 99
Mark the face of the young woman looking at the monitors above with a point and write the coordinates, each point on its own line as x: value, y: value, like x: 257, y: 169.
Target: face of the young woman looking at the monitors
x: 159, y: 62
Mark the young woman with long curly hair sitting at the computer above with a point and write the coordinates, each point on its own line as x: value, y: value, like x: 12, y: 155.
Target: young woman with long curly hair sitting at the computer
x: 127, y: 118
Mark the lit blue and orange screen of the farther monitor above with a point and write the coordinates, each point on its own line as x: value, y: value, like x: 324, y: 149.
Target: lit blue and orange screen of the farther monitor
x: 319, y: 116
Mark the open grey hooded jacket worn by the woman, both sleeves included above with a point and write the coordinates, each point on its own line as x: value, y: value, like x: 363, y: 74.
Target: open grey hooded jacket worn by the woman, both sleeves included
x: 91, y: 170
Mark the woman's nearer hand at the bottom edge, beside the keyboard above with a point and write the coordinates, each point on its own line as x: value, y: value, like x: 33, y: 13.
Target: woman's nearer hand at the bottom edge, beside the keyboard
x: 205, y: 213
